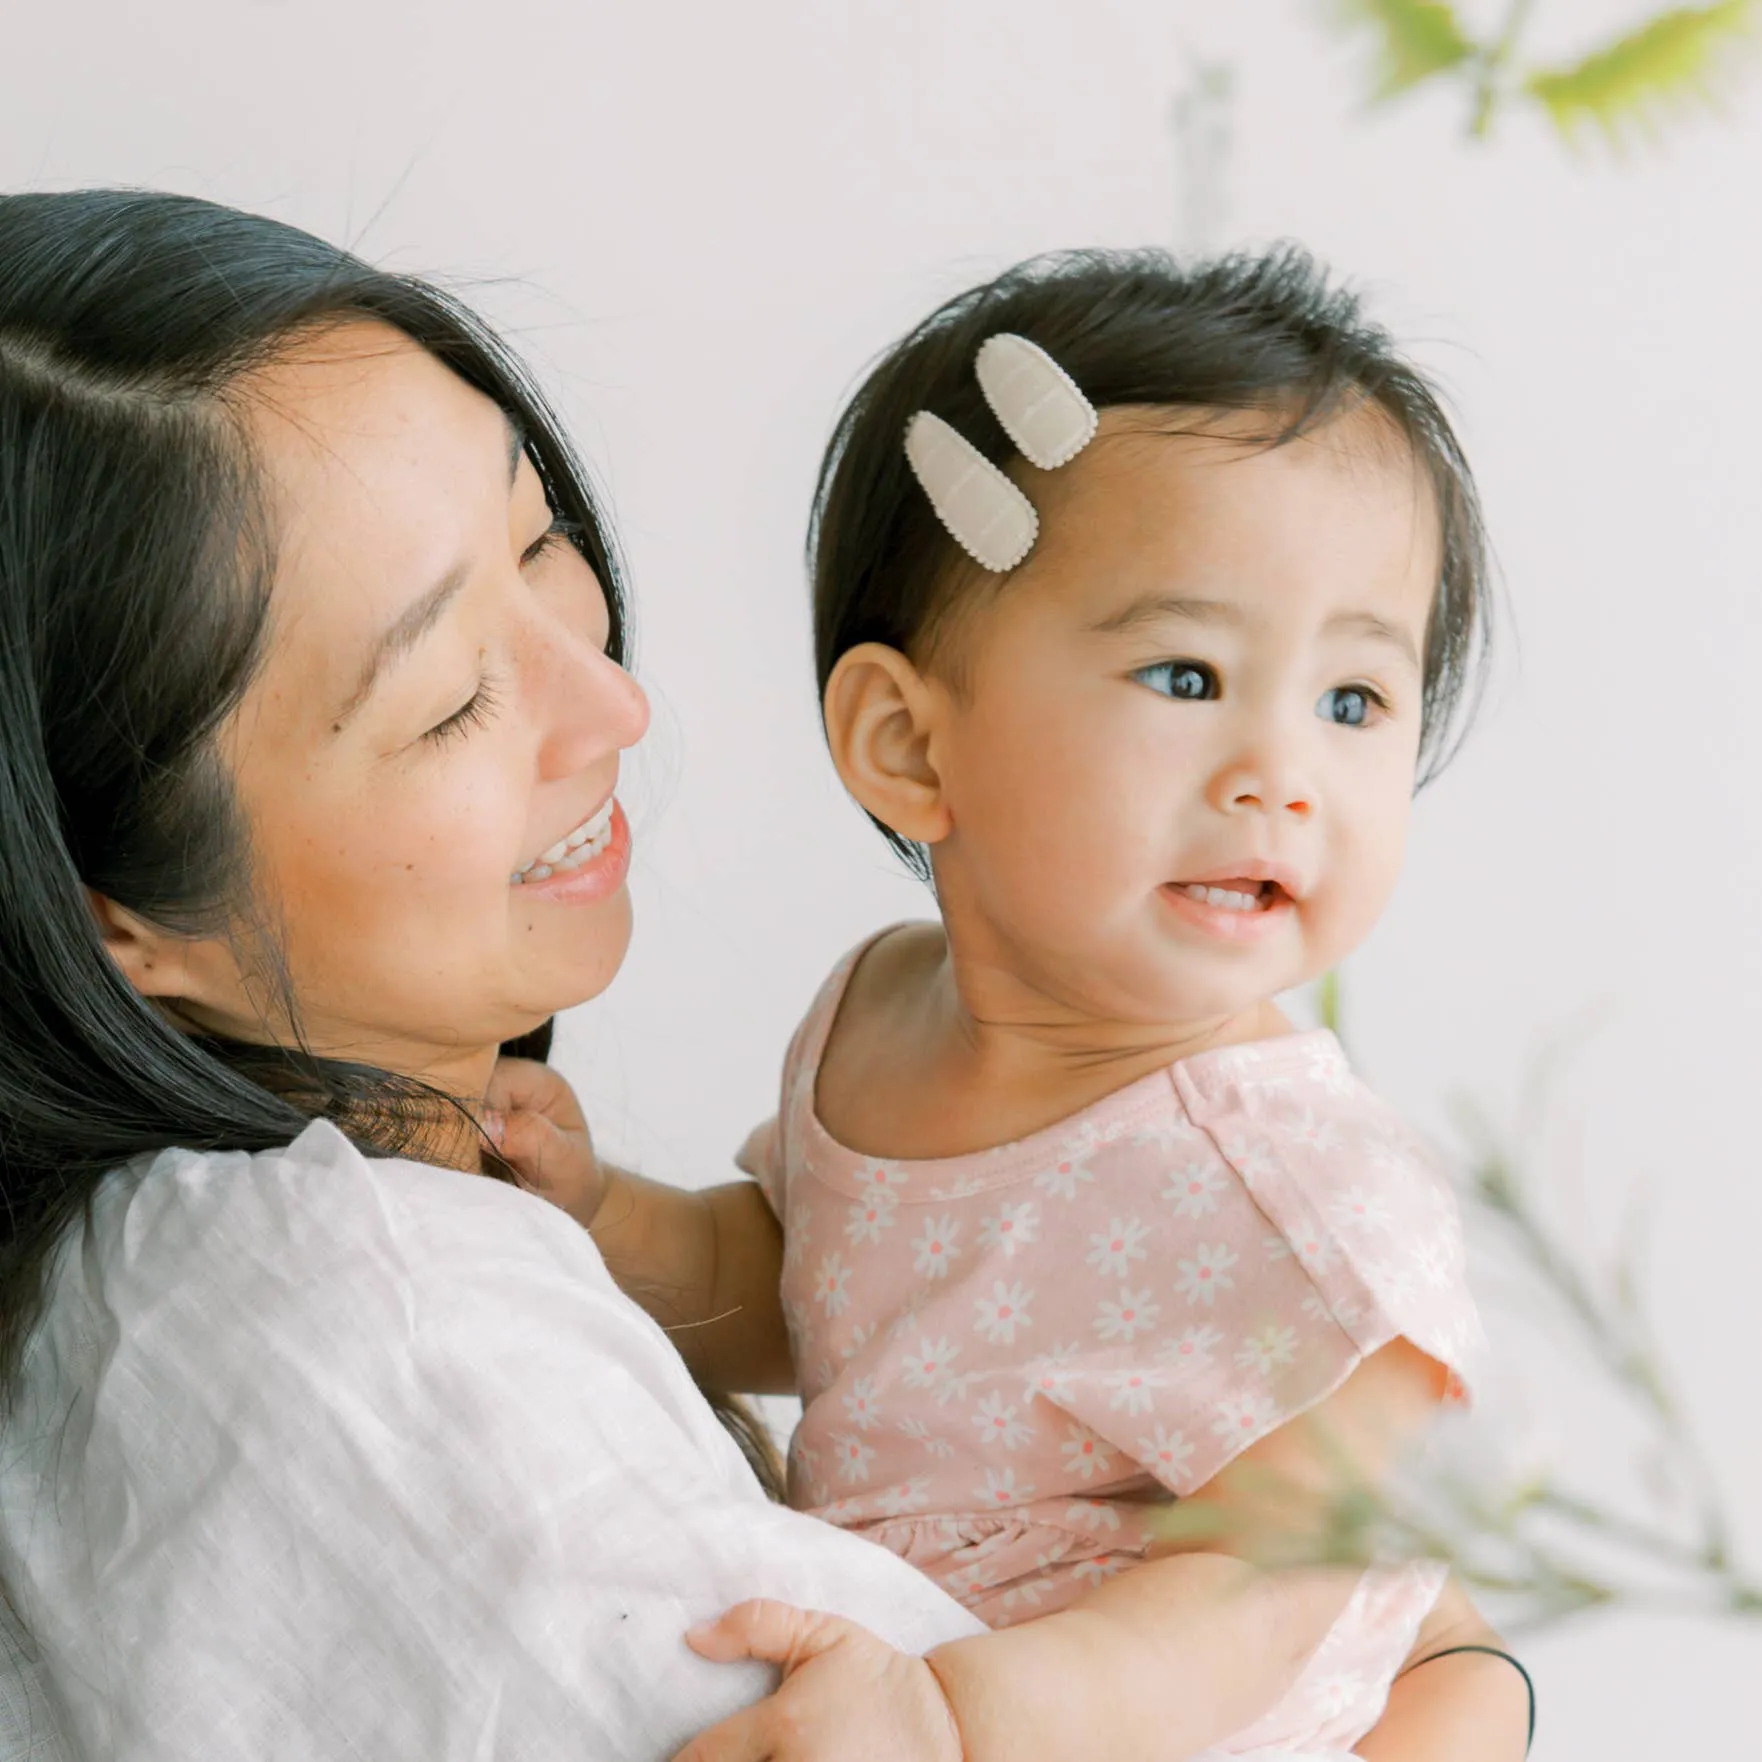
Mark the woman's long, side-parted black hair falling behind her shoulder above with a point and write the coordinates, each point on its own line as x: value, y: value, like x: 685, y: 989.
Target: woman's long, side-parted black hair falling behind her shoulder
x: 135, y: 588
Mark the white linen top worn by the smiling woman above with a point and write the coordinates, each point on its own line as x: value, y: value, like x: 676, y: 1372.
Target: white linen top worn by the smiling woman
x: 330, y: 1458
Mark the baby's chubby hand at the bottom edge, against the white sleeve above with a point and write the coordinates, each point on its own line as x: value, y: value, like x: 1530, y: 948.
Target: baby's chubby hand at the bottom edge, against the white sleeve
x: 845, y: 1696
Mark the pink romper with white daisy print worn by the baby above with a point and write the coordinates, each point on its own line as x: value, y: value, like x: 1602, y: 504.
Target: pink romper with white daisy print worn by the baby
x: 1009, y: 1361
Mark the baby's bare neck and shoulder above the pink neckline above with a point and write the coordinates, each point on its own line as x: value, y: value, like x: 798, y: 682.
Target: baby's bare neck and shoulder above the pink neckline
x: 938, y: 1056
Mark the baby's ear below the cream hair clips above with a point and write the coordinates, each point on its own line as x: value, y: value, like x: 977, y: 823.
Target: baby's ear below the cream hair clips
x: 882, y: 722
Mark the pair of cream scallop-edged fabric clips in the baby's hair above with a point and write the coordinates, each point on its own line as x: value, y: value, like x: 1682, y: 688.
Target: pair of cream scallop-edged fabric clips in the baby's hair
x: 1042, y: 411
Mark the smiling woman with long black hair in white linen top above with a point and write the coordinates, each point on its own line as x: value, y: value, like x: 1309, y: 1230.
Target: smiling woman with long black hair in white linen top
x: 320, y: 1442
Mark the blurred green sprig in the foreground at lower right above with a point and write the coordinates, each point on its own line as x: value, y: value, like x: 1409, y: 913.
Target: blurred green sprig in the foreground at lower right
x: 1529, y: 1537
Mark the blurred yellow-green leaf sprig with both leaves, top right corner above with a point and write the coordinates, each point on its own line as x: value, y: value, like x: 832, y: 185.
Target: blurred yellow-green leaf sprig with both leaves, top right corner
x: 1632, y: 87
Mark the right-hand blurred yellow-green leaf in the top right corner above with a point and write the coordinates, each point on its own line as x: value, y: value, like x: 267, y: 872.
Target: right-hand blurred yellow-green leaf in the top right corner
x: 1659, y: 71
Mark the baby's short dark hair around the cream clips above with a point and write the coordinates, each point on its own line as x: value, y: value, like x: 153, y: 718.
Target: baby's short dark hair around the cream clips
x: 1252, y: 332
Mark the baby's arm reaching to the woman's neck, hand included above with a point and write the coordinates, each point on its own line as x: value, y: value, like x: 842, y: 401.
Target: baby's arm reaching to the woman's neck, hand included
x: 704, y: 1264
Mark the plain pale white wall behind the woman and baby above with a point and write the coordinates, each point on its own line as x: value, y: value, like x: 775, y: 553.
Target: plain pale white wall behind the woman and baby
x: 702, y: 219
